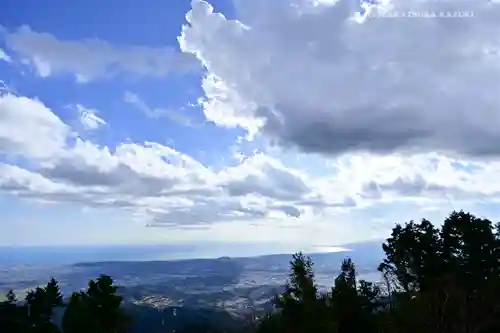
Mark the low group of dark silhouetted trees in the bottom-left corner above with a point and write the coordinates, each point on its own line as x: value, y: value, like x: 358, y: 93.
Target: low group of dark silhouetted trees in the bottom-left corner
x: 95, y: 311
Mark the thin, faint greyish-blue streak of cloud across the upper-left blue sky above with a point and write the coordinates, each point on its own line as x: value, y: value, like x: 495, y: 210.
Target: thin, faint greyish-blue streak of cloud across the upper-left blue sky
x: 90, y: 59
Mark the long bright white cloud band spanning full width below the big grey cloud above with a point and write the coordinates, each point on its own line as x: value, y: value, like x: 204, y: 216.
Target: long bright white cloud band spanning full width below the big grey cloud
x: 161, y: 186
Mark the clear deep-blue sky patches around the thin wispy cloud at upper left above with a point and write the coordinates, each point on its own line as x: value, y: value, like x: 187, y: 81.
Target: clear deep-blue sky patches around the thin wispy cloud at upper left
x: 154, y: 25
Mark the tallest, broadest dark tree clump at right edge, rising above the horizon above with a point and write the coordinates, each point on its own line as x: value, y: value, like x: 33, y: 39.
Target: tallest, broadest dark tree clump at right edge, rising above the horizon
x: 450, y: 277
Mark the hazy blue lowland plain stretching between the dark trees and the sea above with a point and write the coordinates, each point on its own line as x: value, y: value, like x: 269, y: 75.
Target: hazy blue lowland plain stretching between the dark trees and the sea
x: 238, y: 285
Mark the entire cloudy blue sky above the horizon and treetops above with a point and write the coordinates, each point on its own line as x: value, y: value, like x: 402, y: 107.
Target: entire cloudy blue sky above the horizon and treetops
x: 312, y: 122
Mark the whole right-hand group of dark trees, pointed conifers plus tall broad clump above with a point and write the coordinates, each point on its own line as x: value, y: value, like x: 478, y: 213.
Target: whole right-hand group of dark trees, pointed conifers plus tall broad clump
x: 437, y: 280
